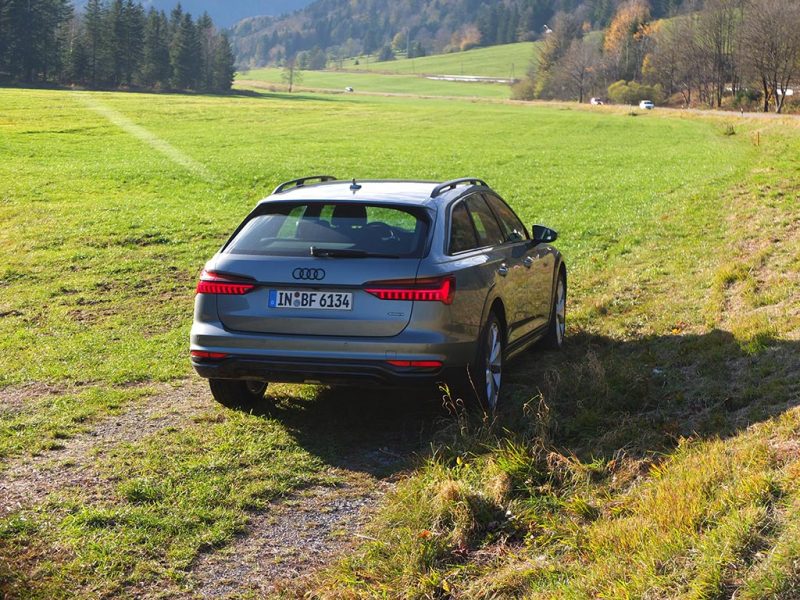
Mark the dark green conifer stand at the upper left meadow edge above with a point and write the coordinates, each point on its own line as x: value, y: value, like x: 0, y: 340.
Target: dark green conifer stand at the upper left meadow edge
x: 112, y: 43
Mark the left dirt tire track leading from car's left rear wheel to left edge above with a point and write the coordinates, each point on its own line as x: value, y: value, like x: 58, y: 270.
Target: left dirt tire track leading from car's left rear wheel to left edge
x: 29, y: 480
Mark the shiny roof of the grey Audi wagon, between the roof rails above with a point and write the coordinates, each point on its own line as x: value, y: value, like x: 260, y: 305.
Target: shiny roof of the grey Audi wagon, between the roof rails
x: 370, y: 190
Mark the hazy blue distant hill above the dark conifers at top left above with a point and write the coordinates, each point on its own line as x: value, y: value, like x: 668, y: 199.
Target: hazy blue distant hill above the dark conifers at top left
x: 226, y: 13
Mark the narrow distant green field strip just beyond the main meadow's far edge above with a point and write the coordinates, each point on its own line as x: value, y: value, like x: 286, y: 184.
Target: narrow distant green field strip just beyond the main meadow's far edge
x: 376, y: 83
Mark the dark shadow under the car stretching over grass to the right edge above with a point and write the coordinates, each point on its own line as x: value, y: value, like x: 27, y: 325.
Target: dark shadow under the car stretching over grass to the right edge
x: 597, y: 397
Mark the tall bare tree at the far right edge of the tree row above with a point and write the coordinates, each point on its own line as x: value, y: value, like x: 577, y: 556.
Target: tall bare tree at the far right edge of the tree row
x: 770, y: 47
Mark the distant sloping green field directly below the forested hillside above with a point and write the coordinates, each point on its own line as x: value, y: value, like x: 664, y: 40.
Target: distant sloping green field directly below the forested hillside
x: 505, y: 61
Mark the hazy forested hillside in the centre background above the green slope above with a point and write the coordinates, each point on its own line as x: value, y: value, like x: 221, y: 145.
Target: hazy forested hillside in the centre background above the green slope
x: 351, y: 27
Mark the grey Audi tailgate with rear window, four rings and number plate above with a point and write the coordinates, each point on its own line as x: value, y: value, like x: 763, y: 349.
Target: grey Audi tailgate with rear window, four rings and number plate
x: 311, y: 261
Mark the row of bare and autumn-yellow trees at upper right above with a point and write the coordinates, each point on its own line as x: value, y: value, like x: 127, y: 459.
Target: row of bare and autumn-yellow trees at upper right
x: 744, y: 53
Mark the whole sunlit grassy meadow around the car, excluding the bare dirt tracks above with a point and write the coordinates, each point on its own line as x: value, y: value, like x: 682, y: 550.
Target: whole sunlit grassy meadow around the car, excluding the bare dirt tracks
x: 656, y: 456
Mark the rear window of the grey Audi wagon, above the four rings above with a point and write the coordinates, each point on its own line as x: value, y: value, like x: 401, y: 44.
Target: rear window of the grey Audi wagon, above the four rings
x: 292, y: 229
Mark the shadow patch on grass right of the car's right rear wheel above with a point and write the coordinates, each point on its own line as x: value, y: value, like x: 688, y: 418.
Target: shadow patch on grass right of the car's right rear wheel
x: 641, y: 396
